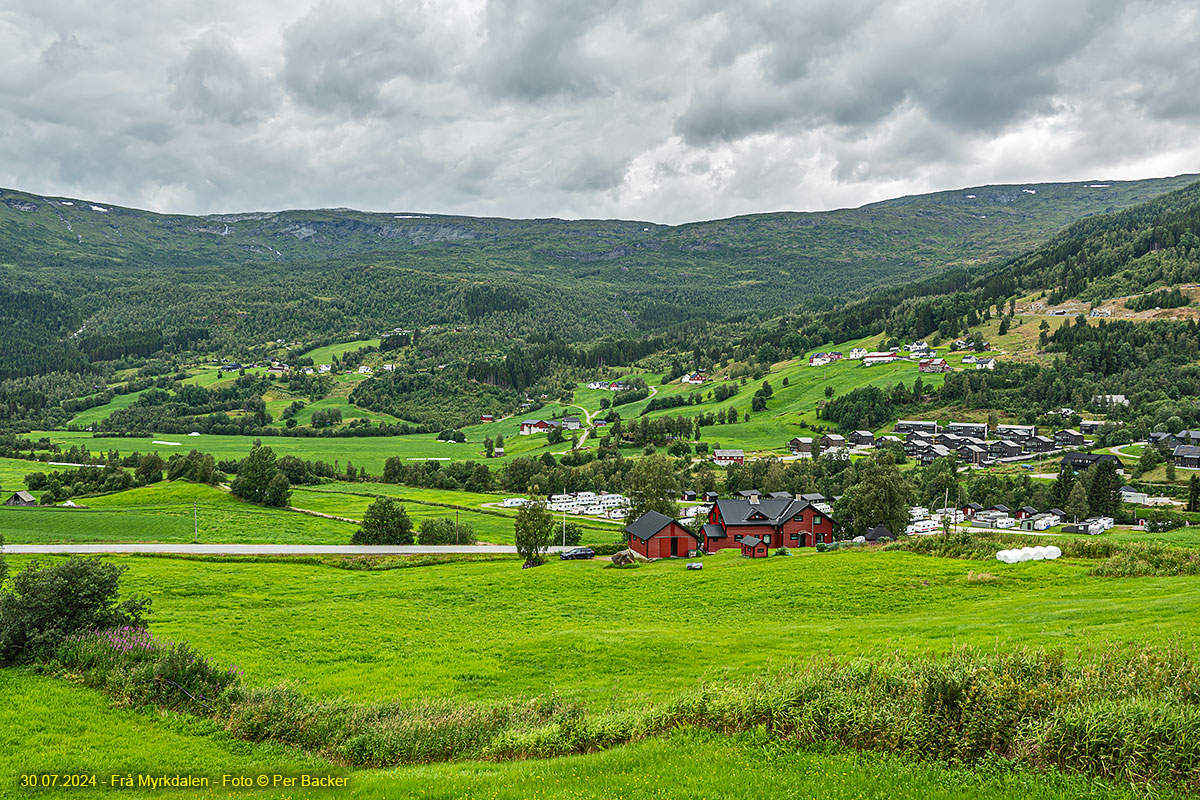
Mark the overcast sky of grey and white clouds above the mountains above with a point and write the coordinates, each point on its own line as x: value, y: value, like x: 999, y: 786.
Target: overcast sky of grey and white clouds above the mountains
x: 668, y: 111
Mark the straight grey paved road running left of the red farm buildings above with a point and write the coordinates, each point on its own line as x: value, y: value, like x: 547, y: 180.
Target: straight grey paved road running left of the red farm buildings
x: 260, y: 550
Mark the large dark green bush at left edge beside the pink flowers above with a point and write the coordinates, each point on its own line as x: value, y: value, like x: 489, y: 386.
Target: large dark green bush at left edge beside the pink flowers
x: 49, y: 604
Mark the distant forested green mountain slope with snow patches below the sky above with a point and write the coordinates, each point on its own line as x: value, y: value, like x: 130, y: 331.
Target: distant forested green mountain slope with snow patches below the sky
x: 303, y: 274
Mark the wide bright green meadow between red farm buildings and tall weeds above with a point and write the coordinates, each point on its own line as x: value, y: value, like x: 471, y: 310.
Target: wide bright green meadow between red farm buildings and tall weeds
x: 489, y: 631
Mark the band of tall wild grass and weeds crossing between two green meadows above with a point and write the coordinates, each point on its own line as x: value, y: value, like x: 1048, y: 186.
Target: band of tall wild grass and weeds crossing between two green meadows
x: 1127, y: 714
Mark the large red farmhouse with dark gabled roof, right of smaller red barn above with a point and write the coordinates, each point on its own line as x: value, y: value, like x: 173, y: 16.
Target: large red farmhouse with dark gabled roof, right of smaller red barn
x: 777, y: 522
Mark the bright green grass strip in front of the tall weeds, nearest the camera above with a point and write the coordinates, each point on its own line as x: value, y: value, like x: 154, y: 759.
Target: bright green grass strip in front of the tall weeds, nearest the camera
x: 50, y: 726
